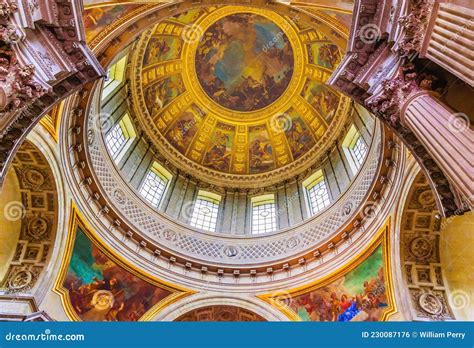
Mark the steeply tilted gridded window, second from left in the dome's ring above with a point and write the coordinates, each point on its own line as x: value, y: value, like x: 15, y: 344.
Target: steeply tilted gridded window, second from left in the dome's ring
x: 120, y: 137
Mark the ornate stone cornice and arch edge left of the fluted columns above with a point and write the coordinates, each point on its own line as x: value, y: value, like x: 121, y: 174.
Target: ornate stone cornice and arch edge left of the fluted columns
x: 374, y: 73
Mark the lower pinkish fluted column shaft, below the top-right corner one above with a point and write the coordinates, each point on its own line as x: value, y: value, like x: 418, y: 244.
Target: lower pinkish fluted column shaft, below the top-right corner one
x: 447, y: 136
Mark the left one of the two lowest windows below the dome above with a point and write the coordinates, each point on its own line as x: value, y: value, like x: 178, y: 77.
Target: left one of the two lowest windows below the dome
x: 206, y: 209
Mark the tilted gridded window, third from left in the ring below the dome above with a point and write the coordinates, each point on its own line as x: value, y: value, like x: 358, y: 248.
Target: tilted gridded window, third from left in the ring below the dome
x: 155, y: 184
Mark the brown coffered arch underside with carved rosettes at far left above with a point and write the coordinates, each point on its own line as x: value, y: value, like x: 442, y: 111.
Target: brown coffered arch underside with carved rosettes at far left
x: 38, y: 223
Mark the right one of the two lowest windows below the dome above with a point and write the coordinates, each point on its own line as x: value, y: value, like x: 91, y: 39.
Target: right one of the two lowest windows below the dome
x: 263, y: 214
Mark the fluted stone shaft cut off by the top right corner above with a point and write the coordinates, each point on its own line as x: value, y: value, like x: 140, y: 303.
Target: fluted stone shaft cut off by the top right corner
x: 449, y: 40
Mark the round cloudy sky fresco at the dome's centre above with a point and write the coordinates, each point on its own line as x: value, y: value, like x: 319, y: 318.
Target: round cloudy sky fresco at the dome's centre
x: 244, y: 62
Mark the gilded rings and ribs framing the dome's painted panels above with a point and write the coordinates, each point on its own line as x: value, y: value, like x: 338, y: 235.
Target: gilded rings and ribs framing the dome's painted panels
x: 156, y: 124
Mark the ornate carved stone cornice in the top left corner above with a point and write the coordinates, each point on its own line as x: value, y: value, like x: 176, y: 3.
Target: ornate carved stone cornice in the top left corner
x: 44, y: 59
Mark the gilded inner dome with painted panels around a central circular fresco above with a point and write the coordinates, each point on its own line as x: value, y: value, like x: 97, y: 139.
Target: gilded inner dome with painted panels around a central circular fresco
x: 239, y: 95
